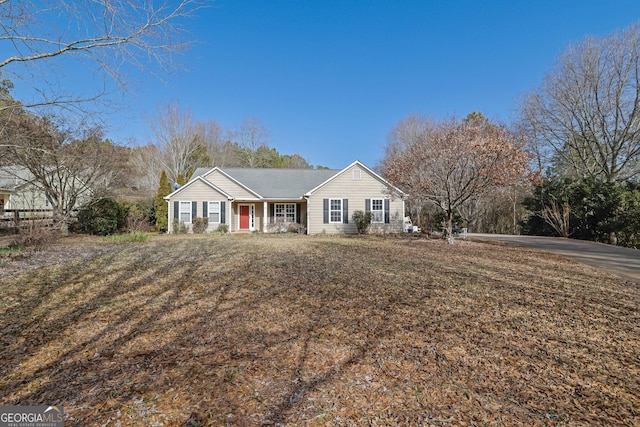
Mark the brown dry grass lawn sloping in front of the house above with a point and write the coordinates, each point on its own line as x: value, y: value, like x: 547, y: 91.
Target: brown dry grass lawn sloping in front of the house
x: 295, y: 330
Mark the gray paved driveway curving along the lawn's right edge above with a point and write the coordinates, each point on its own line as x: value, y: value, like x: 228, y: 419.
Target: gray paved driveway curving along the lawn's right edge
x: 623, y: 262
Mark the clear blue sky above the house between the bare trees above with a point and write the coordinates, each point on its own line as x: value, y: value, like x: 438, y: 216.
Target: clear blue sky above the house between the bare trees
x: 329, y: 79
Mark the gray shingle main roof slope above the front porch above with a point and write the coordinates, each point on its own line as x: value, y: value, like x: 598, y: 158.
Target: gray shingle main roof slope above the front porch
x: 277, y: 183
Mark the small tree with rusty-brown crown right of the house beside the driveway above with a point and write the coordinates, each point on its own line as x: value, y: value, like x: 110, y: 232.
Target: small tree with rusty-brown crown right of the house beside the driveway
x: 451, y: 162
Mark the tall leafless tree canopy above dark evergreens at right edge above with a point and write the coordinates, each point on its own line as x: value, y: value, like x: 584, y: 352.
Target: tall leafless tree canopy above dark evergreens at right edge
x: 585, y: 117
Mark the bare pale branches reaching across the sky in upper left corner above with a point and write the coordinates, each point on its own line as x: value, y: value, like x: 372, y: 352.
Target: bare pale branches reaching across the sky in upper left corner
x: 103, y: 34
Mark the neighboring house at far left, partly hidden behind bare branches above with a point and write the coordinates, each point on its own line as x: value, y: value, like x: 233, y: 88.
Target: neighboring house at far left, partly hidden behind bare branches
x: 18, y: 192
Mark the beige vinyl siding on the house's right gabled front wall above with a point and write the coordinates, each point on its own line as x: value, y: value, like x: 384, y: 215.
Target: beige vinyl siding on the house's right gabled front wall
x: 344, y: 186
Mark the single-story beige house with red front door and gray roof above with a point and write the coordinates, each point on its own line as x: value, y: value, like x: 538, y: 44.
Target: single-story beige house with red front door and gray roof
x: 266, y: 200
